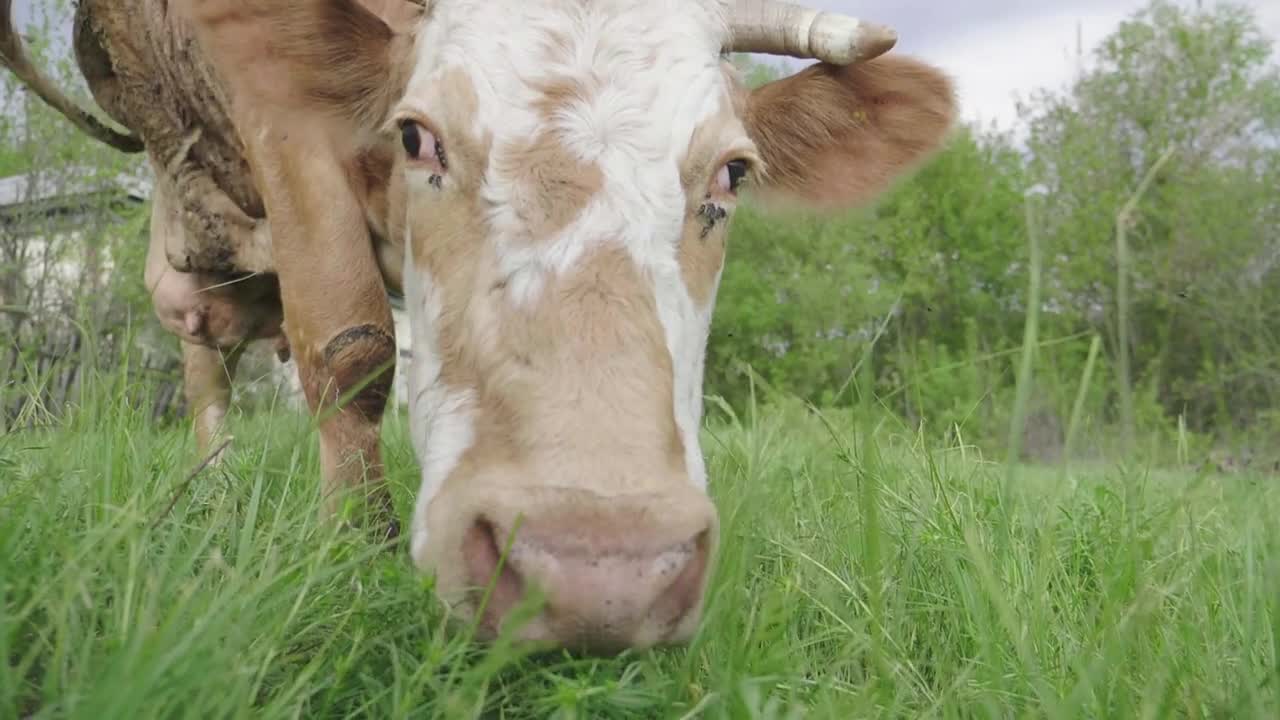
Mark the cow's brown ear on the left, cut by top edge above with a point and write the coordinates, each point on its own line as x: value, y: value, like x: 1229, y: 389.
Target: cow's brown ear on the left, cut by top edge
x: 331, y: 57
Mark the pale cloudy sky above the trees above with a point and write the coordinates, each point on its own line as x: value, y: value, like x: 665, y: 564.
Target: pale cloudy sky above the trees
x: 994, y: 48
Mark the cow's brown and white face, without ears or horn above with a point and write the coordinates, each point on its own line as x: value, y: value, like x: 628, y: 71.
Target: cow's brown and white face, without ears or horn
x: 570, y: 184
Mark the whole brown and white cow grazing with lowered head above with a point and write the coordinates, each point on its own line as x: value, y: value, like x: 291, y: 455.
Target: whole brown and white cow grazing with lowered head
x: 550, y: 184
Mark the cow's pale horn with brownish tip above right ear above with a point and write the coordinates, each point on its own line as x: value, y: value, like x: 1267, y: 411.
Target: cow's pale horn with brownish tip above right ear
x: 775, y: 28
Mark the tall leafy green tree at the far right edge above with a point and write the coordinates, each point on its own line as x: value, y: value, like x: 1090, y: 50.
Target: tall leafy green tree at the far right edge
x: 1204, y: 84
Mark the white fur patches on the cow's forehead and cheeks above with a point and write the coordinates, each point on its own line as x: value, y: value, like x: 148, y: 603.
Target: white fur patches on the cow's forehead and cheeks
x: 650, y: 74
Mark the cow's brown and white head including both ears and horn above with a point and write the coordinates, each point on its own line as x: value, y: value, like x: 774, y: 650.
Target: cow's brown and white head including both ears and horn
x: 570, y: 172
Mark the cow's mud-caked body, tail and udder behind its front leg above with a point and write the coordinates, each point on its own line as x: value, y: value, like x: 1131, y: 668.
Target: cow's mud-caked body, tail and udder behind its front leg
x: 209, y: 267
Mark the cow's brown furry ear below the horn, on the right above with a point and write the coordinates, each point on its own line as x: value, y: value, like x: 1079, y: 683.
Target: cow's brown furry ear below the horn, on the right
x: 835, y: 138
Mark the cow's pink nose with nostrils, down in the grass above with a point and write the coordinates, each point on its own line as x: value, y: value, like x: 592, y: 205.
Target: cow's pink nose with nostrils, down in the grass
x: 609, y: 582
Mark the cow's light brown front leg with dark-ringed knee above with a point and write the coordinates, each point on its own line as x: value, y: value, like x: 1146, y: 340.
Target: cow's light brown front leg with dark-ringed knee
x: 337, y: 317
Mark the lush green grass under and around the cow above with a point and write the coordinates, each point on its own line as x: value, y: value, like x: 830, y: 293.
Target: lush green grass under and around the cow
x: 863, y: 573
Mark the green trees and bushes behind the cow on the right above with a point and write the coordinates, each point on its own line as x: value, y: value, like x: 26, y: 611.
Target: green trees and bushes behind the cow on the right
x: 930, y: 286
